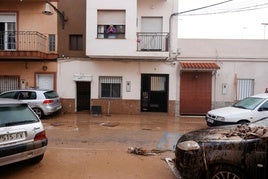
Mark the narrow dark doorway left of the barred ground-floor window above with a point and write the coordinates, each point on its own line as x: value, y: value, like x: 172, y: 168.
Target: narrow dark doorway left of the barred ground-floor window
x: 83, y: 95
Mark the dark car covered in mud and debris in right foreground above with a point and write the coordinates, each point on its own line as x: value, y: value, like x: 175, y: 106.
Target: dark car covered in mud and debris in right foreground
x: 232, y: 151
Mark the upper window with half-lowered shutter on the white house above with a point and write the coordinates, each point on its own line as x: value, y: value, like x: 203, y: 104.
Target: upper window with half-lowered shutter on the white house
x: 111, y: 24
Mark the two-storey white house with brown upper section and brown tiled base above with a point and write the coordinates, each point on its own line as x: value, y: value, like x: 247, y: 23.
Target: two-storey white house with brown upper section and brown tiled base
x: 125, y: 68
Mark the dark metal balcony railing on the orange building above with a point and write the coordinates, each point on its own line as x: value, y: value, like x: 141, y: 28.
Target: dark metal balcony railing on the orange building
x: 23, y: 41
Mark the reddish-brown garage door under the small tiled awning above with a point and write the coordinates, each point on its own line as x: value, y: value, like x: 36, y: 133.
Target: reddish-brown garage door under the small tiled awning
x: 195, y: 93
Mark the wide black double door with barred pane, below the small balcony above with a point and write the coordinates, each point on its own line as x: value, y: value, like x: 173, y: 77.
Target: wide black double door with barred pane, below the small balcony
x: 154, y: 93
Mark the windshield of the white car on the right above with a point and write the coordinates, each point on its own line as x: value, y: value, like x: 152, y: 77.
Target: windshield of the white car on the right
x: 249, y: 103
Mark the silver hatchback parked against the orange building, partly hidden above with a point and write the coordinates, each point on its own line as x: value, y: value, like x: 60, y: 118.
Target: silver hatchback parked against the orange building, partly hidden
x: 43, y: 102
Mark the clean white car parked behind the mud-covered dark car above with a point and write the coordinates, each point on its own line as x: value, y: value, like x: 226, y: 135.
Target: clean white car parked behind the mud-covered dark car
x: 247, y: 110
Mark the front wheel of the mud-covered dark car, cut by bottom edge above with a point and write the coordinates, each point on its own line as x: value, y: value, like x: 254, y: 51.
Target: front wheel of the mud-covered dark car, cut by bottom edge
x: 226, y: 172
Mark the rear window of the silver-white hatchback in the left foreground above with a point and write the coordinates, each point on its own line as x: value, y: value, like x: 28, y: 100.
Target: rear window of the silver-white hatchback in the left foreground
x: 11, y: 115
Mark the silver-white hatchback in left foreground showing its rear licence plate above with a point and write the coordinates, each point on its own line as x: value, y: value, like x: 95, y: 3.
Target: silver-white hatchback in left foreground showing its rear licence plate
x: 22, y: 135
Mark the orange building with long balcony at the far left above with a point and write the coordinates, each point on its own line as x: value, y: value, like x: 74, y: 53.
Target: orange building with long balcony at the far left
x: 28, y: 45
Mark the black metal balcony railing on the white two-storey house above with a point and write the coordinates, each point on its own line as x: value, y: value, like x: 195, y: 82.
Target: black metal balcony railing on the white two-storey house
x: 152, y: 41
